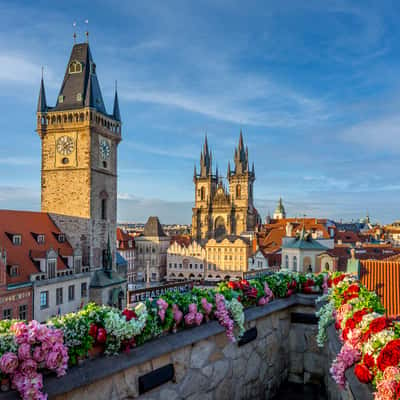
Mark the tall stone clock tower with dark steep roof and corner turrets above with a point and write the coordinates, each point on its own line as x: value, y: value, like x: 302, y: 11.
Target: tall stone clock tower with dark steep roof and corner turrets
x: 79, y: 160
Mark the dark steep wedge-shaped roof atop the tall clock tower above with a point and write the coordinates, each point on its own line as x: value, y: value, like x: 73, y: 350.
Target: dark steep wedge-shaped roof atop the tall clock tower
x: 80, y: 86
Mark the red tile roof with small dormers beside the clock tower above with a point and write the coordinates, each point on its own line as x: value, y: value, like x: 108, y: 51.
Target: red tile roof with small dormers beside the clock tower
x: 27, y: 223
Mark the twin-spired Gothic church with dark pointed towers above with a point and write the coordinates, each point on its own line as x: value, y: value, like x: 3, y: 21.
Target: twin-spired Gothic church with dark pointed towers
x: 219, y: 210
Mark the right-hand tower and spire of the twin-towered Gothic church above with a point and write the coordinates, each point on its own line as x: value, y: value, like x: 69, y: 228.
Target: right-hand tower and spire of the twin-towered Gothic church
x: 241, y: 180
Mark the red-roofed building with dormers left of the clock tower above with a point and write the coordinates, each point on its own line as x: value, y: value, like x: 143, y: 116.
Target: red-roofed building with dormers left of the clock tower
x: 40, y: 260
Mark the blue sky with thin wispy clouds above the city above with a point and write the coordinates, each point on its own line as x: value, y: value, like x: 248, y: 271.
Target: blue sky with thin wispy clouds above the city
x: 314, y: 85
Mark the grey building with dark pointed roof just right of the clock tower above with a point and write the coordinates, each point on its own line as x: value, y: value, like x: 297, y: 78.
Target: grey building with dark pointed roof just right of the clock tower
x: 151, y: 252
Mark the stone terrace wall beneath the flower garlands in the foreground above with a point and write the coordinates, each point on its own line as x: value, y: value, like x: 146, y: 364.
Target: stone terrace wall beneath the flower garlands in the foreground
x: 208, y: 366
